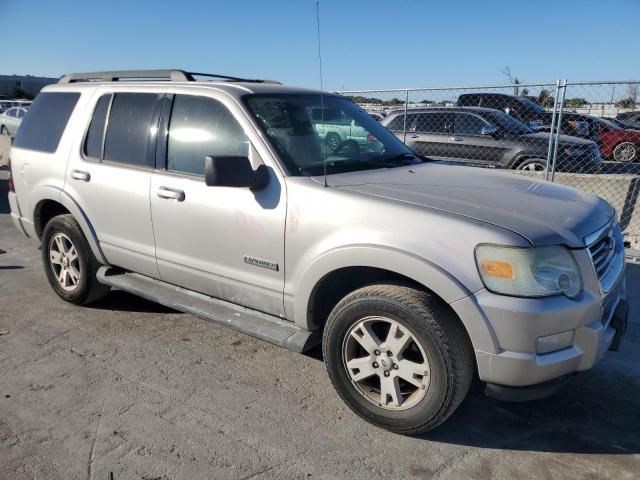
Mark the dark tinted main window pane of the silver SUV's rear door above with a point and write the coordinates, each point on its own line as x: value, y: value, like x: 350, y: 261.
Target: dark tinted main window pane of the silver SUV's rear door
x: 128, y: 131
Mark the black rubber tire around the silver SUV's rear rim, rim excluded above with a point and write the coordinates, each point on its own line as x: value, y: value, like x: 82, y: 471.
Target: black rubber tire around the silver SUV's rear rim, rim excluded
x: 88, y: 289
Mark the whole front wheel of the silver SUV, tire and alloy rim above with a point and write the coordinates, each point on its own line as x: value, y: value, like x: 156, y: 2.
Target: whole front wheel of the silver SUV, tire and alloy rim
x: 398, y: 357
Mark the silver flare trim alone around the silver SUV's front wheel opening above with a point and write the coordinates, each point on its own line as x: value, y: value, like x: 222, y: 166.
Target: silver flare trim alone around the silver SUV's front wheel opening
x: 411, y: 266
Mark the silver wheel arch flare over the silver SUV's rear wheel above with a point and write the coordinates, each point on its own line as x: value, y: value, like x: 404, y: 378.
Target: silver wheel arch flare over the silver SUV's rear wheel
x: 53, y: 201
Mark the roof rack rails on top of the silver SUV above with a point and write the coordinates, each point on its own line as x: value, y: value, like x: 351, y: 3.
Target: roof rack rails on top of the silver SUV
x: 169, y: 75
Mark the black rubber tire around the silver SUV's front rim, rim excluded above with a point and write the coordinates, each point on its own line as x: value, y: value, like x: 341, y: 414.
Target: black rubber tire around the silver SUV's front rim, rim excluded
x: 441, y: 335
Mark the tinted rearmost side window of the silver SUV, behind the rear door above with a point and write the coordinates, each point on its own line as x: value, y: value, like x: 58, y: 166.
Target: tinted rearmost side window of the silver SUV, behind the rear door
x: 43, y: 125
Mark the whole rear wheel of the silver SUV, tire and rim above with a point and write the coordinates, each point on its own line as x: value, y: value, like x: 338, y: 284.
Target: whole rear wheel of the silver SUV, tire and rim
x: 69, y: 263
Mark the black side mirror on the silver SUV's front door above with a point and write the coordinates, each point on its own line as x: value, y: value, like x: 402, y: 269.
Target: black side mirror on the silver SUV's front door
x: 234, y: 172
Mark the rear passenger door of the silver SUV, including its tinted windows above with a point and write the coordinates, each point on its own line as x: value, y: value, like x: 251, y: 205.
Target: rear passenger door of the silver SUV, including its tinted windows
x: 109, y: 175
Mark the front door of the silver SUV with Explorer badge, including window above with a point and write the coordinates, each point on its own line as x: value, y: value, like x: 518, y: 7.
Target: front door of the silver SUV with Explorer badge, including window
x: 220, y: 241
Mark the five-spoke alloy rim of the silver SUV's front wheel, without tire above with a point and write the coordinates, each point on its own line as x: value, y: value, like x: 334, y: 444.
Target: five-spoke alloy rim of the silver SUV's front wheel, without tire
x: 386, y: 363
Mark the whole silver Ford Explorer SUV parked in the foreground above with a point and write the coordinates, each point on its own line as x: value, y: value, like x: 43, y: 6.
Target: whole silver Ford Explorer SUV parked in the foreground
x: 222, y: 198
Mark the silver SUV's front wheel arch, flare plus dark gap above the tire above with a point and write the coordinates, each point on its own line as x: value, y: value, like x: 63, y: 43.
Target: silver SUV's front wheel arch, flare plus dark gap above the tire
x: 341, y: 271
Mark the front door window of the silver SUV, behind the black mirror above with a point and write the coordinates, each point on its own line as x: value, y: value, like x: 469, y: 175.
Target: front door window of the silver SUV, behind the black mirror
x: 199, y: 127
